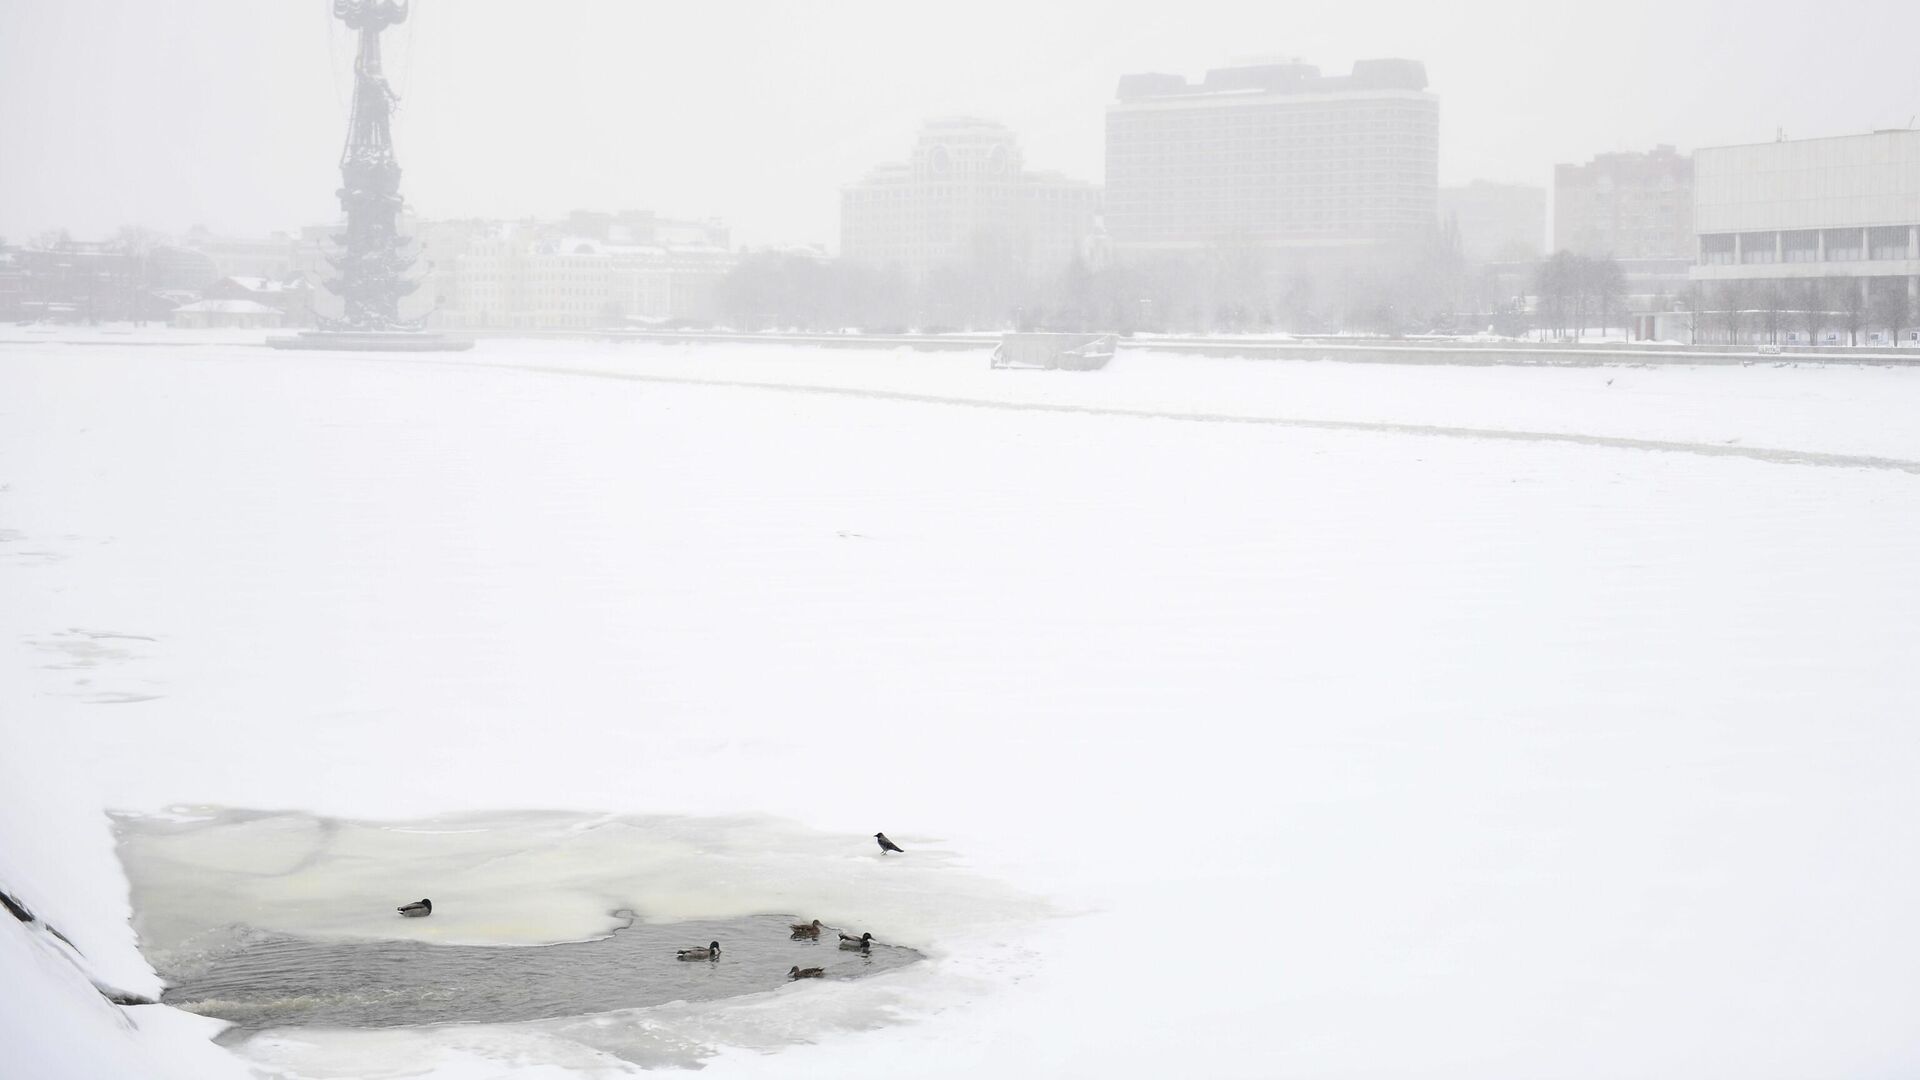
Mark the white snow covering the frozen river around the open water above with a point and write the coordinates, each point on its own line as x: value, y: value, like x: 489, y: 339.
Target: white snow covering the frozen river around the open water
x: 1431, y: 722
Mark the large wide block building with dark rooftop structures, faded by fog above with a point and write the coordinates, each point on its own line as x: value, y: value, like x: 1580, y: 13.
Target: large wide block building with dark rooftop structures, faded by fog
x: 1274, y: 157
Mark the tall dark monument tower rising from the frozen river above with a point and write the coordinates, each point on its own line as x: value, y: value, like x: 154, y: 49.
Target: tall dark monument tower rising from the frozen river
x: 373, y: 262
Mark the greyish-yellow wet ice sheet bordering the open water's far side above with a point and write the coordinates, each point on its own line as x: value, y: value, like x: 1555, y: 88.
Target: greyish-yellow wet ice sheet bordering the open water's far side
x: 527, y: 879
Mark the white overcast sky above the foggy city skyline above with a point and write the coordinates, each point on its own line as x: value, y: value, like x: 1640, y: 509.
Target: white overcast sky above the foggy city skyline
x: 231, y: 112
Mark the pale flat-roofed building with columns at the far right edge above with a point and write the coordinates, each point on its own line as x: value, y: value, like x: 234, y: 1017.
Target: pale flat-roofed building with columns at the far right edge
x: 1815, y: 220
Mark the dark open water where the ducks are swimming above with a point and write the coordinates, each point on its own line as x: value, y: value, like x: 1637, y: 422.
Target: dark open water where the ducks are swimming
x: 281, y: 981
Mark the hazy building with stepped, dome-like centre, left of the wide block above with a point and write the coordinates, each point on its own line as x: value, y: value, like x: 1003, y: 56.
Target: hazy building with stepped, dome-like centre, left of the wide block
x: 965, y: 197
